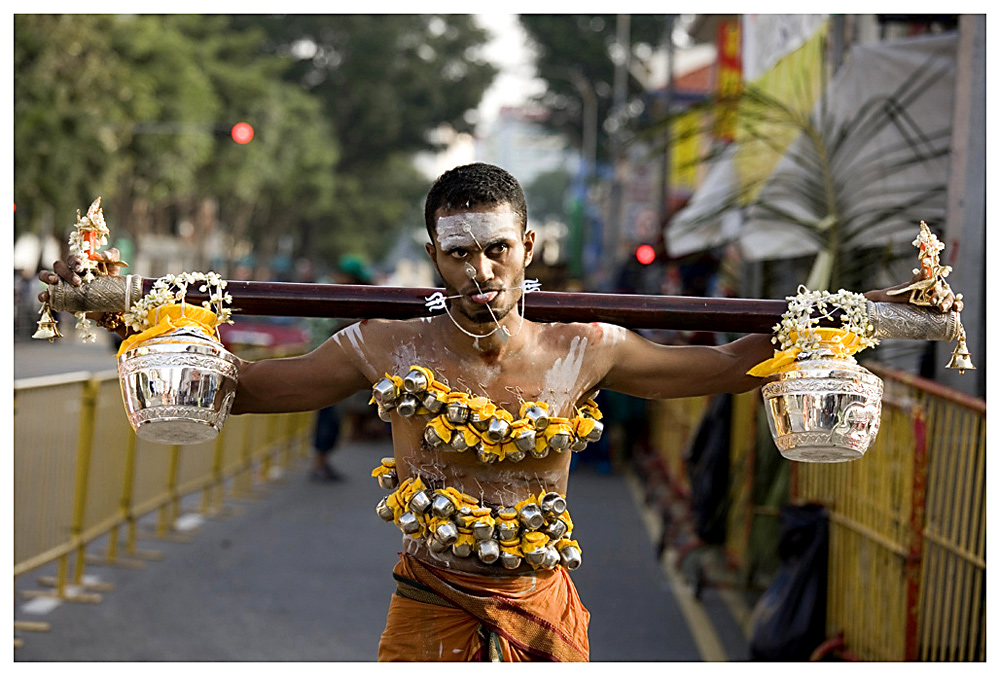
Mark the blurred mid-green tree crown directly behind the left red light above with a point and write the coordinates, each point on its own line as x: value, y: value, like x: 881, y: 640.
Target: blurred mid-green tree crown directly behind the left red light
x: 284, y: 178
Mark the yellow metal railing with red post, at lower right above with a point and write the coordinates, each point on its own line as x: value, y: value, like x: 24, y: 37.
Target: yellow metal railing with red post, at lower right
x: 908, y: 528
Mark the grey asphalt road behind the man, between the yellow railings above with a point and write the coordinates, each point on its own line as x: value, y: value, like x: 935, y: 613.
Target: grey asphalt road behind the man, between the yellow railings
x: 304, y: 574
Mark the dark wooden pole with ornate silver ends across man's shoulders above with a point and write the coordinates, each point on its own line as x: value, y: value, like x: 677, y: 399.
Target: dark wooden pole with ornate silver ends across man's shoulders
x: 632, y: 311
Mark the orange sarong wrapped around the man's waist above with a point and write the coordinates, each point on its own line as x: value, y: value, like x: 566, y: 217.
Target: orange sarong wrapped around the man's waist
x: 468, y: 617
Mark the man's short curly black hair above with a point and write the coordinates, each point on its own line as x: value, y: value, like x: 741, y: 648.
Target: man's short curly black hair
x: 474, y: 185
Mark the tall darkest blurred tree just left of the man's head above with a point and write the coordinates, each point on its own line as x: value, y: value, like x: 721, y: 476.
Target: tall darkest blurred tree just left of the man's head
x: 385, y: 81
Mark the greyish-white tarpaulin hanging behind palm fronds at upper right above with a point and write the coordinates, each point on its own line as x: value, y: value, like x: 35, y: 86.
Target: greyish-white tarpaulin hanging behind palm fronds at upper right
x: 882, y: 195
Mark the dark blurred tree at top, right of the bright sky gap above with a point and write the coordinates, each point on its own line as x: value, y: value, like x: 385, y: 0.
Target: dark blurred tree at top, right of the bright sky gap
x: 581, y: 47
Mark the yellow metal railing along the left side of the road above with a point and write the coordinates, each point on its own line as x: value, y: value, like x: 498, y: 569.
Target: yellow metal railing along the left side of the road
x: 80, y: 473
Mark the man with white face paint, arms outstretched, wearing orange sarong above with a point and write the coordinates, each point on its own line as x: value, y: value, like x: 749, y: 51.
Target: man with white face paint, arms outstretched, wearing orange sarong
x: 488, y: 542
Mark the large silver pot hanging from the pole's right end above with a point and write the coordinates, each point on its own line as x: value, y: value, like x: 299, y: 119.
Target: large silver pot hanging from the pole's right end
x: 824, y: 409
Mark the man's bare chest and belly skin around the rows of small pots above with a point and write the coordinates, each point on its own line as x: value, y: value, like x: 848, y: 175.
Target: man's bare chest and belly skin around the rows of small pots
x: 559, y: 364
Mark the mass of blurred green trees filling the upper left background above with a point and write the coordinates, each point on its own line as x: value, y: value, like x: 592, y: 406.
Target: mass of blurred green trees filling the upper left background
x: 137, y: 109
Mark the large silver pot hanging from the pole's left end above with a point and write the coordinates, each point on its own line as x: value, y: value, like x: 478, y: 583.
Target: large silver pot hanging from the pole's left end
x: 178, y: 387
